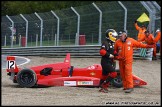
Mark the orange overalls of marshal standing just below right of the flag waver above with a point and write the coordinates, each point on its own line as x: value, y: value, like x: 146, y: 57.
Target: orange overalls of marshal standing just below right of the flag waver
x: 150, y: 41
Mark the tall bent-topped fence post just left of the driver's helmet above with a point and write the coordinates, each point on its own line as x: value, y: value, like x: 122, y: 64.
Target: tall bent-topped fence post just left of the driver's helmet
x: 100, y: 23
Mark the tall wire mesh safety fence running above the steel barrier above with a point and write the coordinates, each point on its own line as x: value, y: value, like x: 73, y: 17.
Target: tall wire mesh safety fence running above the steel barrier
x: 82, y: 25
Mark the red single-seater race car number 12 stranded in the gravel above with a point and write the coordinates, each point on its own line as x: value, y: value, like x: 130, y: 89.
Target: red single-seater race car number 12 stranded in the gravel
x: 61, y: 74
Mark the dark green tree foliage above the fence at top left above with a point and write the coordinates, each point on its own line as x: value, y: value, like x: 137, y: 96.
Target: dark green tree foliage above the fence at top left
x: 27, y: 7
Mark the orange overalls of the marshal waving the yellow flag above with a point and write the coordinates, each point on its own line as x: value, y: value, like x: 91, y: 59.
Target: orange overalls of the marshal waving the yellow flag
x: 141, y: 32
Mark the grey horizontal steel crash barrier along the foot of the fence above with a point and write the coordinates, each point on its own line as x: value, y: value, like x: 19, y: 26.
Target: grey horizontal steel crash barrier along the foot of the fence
x: 87, y: 51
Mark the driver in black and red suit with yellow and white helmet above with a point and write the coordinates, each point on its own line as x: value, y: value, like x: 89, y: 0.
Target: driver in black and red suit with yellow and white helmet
x: 107, y: 60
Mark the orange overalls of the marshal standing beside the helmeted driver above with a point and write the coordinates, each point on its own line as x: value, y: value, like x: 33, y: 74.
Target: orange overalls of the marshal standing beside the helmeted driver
x: 125, y: 49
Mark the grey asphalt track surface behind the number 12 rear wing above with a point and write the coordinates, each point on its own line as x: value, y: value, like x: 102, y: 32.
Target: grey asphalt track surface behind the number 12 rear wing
x: 19, y: 61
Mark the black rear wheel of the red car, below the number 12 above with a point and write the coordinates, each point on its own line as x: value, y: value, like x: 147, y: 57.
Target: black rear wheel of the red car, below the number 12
x: 26, y: 78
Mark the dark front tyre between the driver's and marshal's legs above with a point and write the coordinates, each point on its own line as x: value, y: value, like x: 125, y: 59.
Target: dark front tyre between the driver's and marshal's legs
x: 117, y: 82
